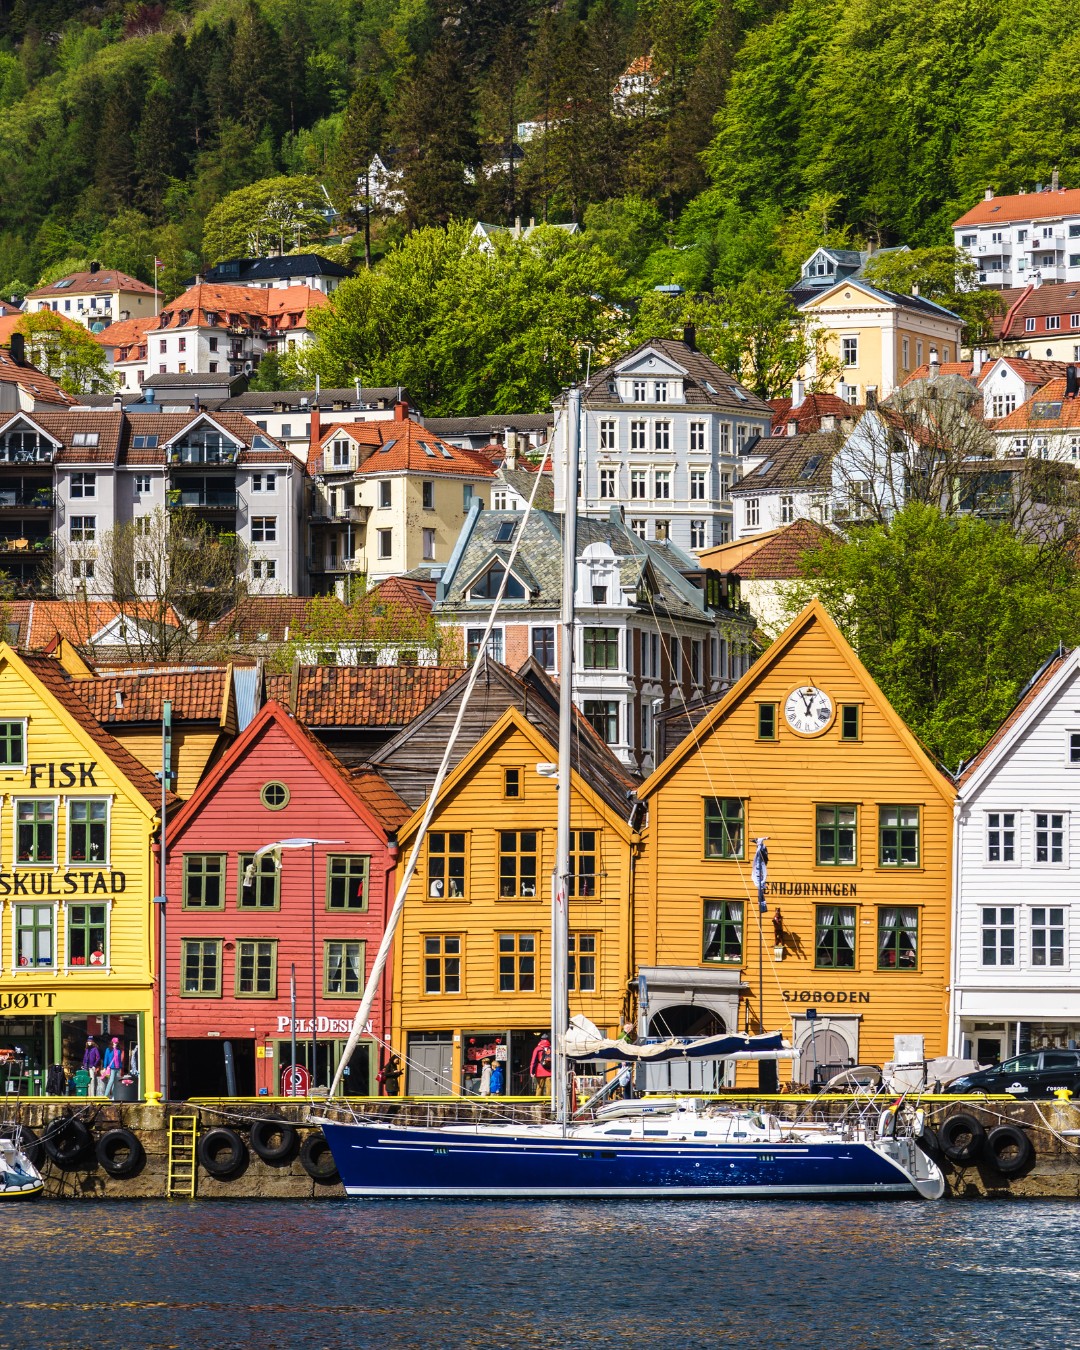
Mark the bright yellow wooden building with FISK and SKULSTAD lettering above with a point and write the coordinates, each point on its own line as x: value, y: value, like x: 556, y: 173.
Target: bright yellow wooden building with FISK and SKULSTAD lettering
x: 78, y: 819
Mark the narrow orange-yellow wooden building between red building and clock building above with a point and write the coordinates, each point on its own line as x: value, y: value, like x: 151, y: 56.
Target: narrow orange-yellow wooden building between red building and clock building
x: 473, y: 956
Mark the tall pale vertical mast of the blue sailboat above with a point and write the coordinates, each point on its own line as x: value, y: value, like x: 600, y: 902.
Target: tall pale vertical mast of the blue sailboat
x: 561, y: 881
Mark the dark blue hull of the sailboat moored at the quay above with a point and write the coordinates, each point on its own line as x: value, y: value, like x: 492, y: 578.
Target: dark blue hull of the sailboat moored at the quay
x: 400, y: 1163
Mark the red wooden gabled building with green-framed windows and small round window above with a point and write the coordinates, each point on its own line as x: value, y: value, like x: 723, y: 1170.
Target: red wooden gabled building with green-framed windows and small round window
x: 244, y: 936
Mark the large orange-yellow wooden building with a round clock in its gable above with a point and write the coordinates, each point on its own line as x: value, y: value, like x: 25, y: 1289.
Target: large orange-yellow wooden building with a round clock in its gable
x: 805, y: 751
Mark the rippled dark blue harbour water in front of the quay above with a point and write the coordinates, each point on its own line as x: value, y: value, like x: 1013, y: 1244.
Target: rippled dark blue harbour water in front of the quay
x: 337, y: 1274
